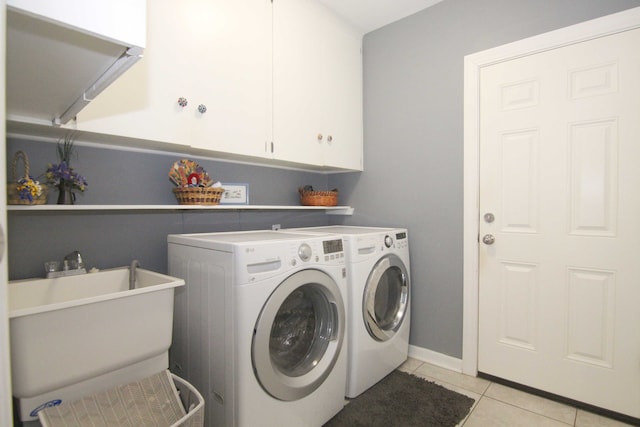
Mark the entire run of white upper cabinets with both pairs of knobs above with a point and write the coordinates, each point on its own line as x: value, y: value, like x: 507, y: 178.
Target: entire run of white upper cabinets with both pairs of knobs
x: 272, y: 77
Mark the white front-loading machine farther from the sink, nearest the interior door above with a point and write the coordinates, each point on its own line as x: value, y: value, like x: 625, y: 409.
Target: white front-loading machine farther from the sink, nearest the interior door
x: 378, y: 309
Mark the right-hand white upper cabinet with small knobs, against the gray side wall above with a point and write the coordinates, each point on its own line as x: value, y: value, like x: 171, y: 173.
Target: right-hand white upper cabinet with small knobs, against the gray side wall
x: 317, y: 86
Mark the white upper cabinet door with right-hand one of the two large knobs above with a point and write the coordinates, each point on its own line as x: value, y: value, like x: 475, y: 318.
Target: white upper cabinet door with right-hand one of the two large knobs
x: 234, y: 79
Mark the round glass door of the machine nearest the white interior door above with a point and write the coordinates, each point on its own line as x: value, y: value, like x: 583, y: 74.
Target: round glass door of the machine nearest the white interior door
x: 386, y: 298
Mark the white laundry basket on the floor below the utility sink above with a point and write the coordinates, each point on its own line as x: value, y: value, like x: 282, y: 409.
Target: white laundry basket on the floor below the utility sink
x: 161, y: 400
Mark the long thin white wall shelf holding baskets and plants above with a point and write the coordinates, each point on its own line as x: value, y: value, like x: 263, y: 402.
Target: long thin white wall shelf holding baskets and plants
x: 330, y: 210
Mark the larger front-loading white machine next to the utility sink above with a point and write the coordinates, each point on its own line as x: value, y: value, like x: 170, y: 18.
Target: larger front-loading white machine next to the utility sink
x: 260, y: 326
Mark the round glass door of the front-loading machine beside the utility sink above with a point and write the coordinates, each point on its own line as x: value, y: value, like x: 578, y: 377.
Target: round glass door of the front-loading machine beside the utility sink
x: 298, y: 335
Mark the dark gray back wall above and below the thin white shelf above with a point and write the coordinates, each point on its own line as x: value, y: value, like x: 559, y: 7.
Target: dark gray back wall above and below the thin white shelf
x: 113, y: 238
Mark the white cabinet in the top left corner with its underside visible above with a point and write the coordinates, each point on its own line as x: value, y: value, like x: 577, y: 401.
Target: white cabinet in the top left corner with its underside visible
x: 61, y: 54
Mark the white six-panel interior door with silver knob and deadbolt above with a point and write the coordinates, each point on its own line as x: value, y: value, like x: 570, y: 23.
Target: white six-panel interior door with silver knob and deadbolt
x: 559, y: 277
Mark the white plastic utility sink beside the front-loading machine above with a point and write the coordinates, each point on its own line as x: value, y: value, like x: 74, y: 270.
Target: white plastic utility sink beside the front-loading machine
x: 76, y: 335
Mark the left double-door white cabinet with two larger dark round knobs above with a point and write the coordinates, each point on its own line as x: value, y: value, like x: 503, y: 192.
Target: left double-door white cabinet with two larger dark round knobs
x: 213, y: 55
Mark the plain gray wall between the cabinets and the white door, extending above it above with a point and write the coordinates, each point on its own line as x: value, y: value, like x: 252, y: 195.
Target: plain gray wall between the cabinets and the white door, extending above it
x: 413, y: 128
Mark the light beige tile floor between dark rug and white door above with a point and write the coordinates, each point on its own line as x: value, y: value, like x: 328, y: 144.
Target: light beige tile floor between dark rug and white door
x: 496, y: 405
